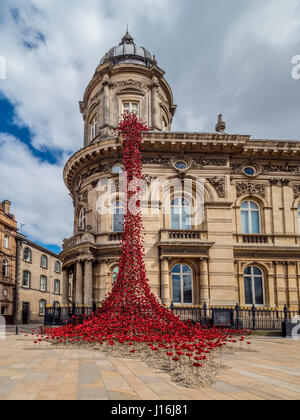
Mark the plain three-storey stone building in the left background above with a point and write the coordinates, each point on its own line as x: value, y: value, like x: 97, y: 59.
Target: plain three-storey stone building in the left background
x: 39, y: 281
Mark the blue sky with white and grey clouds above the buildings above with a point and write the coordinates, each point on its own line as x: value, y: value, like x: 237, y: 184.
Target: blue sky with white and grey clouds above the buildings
x: 227, y: 57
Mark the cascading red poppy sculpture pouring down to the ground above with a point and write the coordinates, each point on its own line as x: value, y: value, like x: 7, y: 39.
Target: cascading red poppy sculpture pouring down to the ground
x: 131, y: 314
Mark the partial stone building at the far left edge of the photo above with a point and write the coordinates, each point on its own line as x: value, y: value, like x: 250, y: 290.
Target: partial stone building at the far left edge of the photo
x: 8, y: 230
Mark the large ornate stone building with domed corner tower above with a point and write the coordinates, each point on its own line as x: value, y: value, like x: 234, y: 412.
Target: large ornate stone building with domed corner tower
x: 246, y: 249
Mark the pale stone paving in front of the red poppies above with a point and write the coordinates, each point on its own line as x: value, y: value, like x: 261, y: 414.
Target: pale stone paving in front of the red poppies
x: 28, y: 372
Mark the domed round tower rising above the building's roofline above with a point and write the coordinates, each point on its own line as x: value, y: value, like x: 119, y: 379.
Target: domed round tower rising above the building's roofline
x: 126, y: 79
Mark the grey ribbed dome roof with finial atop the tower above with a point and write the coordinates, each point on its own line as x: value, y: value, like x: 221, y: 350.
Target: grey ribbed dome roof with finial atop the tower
x: 128, y: 52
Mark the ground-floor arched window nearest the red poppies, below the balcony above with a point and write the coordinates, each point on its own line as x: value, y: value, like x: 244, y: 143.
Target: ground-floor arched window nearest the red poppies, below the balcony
x: 182, y: 284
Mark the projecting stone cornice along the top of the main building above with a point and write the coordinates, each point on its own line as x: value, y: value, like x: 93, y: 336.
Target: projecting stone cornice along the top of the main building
x: 202, y: 144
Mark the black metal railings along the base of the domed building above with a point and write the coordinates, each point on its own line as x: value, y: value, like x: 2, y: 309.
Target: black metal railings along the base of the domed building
x: 252, y: 318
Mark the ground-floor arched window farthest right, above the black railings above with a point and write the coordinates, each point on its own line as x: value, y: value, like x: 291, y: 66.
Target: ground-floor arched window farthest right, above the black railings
x: 254, y: 286
